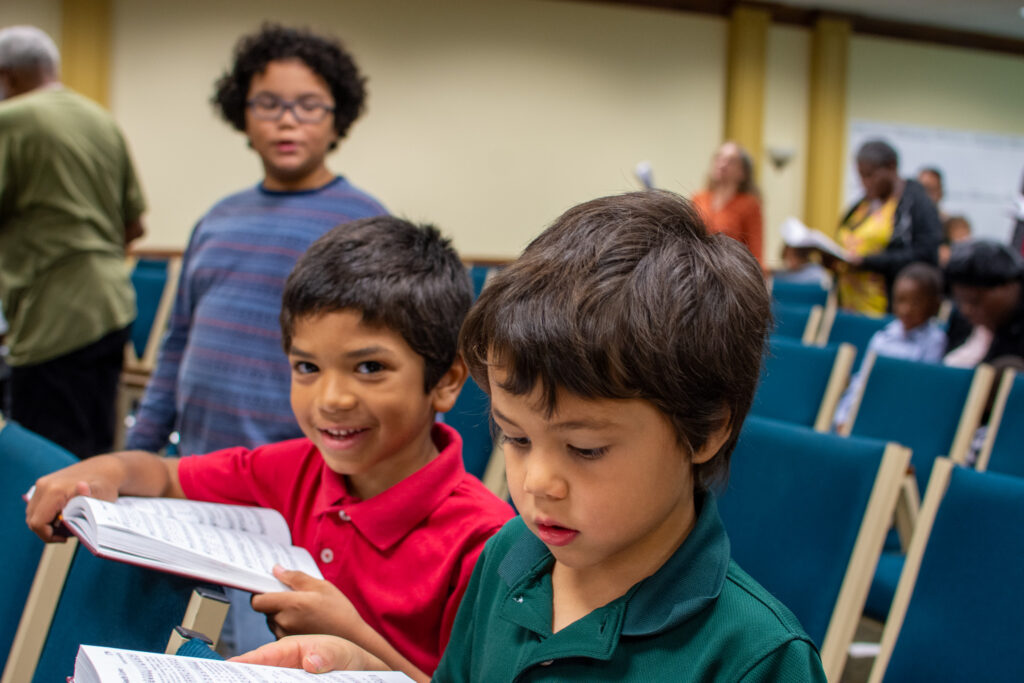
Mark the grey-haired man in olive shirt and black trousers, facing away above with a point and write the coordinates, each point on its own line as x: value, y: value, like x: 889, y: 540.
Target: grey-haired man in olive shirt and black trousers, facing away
x: 69, y: 204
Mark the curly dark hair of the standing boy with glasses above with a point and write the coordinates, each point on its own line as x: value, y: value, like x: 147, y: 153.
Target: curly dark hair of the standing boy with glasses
x: 326, y: 57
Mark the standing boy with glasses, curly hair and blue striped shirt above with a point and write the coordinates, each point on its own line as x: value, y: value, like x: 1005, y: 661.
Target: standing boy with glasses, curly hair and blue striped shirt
x: 221, y: 380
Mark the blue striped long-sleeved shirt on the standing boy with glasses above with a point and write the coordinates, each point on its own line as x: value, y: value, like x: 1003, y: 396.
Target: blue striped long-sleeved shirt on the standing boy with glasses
x: 222, y: 378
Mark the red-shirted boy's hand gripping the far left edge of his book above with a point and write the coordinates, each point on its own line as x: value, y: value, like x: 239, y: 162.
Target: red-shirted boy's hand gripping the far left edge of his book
x: 98, y: 478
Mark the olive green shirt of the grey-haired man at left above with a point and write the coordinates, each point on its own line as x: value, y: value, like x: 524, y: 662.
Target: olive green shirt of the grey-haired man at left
x: 67, y: 191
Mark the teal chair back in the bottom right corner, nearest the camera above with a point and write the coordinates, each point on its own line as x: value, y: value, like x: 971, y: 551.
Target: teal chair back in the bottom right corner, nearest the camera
x: 963, y: 622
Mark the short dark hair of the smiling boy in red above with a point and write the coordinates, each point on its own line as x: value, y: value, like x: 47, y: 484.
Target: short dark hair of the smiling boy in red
x: 404, y: 277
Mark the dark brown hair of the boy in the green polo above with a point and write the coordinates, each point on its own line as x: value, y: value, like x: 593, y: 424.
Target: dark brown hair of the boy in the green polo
x: 630, y: 297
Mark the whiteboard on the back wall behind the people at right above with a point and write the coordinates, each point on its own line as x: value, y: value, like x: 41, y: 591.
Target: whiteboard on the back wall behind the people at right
x: 983, y: 173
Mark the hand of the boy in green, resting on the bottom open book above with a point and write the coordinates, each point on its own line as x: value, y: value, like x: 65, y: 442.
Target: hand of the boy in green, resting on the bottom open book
x: 314, y: 654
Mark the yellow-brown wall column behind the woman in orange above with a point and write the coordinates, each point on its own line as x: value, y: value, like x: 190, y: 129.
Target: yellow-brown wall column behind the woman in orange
x: 746, y: 80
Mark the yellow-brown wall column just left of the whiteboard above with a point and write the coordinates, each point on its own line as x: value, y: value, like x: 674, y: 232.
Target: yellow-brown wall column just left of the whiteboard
x: 827, y: 124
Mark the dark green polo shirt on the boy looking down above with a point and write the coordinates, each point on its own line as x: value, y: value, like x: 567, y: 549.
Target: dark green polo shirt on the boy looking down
x: 700, y: 618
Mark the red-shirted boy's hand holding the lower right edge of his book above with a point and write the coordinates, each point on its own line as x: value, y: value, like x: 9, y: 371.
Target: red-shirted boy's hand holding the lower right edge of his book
x: 313, y: 606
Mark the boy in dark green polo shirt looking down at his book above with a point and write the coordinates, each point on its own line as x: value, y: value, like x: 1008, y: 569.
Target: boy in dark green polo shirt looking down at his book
x: 621, y: 353
